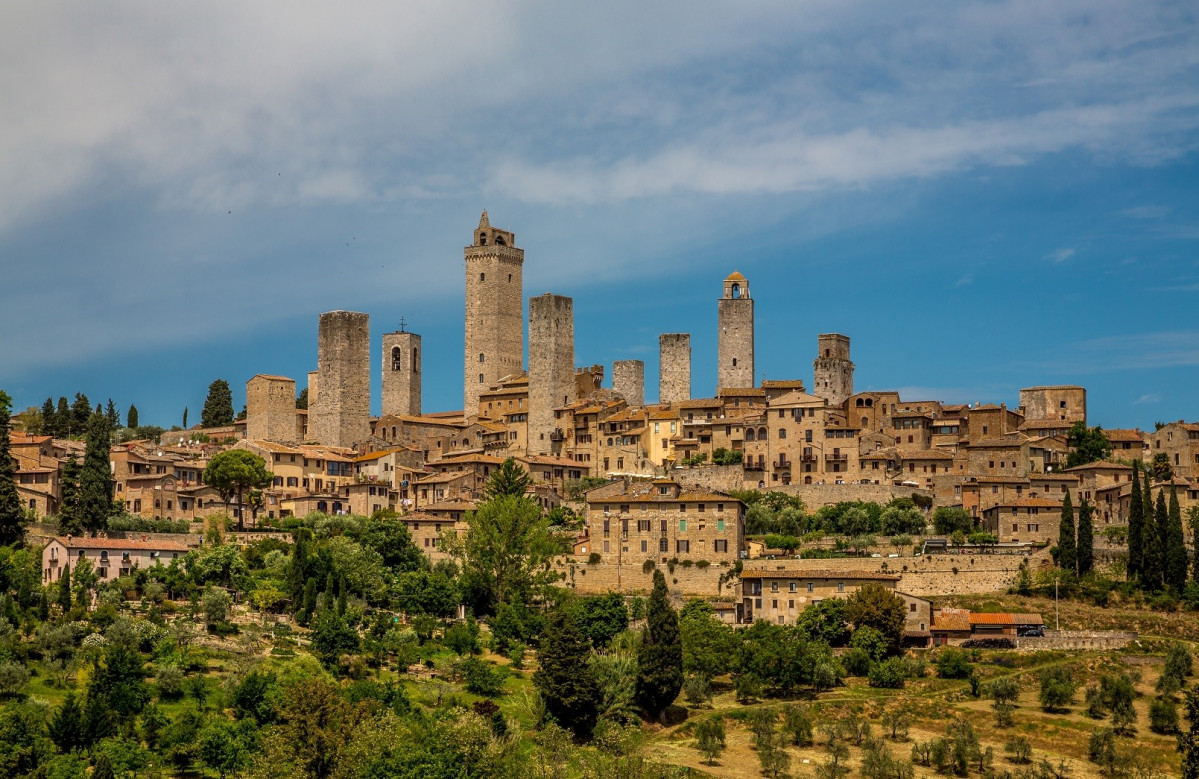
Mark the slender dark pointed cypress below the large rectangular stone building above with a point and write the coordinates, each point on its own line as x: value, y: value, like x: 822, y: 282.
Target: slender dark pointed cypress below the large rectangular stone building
x: 660, y: 656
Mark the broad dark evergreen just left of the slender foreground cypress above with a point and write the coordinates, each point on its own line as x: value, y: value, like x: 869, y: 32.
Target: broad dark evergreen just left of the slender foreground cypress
x: 565, y: 678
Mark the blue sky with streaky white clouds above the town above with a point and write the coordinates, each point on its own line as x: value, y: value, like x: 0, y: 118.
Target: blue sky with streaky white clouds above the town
x: 983, y: 196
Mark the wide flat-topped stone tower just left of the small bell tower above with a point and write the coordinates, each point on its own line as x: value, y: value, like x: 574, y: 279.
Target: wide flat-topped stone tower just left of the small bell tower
x: 342, y: 415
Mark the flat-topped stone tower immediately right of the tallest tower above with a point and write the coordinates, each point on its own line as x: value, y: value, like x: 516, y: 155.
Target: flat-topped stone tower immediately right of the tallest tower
x: 551, y: 366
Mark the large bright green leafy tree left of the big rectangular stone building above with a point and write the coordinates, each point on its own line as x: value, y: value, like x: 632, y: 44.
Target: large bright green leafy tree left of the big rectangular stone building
x: 505, y: 553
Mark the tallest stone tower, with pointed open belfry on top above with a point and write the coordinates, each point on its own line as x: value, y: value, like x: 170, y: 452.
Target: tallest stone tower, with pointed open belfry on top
x: 495, y: 307
